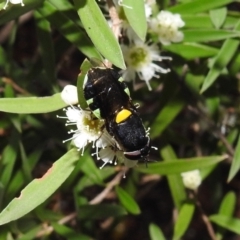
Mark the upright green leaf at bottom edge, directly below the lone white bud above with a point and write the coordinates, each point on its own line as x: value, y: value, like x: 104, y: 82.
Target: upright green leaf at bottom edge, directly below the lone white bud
x: 184, y: 218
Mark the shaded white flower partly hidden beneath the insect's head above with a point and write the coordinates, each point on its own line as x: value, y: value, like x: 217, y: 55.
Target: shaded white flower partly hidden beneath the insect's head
x: 111, y: 154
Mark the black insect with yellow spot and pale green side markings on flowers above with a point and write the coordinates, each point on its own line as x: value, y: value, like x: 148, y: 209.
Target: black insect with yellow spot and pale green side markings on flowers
x: 107, y: 95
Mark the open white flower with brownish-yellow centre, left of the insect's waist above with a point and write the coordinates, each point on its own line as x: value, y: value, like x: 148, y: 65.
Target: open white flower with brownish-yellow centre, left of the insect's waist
x: 88, y: 129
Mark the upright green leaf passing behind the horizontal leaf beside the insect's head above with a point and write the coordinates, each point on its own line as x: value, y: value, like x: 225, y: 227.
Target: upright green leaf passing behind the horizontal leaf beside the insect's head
x: 175, y: 180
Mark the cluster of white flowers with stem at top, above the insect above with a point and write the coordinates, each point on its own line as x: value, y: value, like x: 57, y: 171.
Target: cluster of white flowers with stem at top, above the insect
x: 142, y: 58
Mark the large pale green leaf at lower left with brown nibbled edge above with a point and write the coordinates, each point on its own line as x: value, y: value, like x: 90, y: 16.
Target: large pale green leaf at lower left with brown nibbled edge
x: 40, y: 189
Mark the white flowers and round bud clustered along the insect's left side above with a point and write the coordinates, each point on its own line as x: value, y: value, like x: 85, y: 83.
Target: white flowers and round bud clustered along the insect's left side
x: 90, y: 130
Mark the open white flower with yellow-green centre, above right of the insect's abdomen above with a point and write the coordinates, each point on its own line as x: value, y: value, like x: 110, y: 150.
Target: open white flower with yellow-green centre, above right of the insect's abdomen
x: 140, y: 58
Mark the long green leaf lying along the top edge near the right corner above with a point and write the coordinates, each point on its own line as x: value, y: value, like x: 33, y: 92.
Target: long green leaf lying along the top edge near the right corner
x: 198, y: 6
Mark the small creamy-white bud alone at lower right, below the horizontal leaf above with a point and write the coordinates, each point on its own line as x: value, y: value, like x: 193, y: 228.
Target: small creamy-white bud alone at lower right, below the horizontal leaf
x: 192, y: 179
